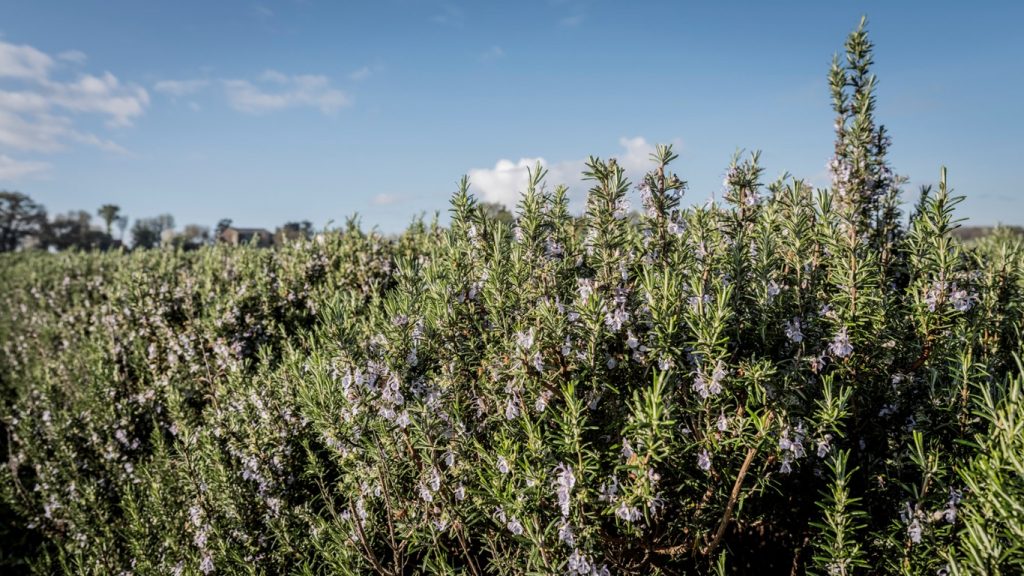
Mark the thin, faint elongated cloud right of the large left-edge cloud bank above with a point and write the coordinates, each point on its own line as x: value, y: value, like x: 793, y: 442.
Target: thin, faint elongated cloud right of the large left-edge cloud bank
x: 279, y: 92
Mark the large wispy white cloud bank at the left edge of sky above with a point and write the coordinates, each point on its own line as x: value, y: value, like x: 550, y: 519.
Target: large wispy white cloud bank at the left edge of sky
x: 40, y: 109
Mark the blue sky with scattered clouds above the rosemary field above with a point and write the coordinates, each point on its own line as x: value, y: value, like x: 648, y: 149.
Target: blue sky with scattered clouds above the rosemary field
x: 274, y: 111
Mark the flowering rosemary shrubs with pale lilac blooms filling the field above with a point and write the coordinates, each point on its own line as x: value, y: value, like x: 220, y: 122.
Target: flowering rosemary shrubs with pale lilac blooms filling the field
x: 791, y: 381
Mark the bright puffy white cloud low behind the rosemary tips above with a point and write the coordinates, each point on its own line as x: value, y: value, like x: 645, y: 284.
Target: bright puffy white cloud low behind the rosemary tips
x: 507, y: 181
